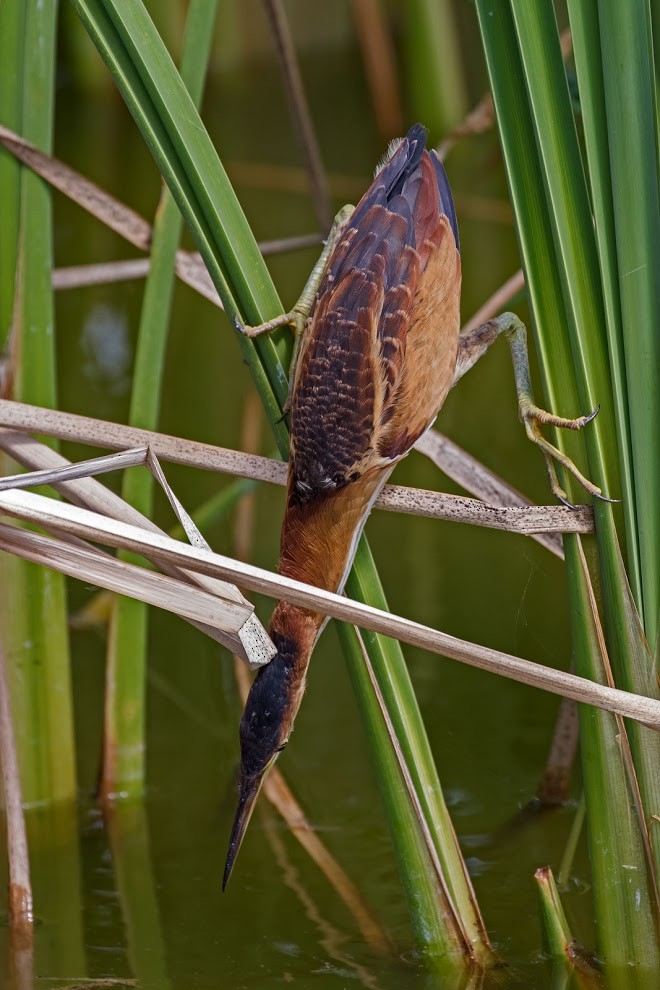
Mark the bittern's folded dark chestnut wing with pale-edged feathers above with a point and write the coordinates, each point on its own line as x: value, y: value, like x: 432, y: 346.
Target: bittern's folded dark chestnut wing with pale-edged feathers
x: 352, y: 355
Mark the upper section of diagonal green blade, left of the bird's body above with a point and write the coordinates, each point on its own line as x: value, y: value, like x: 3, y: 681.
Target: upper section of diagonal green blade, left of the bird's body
x: 189, y: 164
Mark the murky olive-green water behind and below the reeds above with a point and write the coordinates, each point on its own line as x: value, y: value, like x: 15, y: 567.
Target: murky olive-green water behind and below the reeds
x: 139, y: 897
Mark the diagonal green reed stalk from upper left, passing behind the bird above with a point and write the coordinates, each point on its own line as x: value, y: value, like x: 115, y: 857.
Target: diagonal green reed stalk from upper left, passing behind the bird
x: 176, y: 136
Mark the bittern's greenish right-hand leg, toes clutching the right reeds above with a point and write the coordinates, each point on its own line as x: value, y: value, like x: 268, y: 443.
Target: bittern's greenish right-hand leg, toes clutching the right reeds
x: 474, y: 343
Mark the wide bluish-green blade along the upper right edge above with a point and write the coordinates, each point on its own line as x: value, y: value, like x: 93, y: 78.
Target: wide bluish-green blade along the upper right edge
x: 632, y: 129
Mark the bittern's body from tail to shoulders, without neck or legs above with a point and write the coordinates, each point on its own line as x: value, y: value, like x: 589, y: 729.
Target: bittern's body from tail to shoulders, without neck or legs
x: 380, y: 349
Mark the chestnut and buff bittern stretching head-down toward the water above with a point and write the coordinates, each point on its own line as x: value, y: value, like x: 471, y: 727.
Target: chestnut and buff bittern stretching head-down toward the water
x: 377, y: 348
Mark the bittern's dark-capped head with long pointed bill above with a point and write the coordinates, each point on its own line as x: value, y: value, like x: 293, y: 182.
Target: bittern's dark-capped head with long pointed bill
x: 264, y: 732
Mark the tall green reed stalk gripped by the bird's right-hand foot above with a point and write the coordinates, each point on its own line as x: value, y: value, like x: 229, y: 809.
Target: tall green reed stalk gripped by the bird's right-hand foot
x: 565, y: 263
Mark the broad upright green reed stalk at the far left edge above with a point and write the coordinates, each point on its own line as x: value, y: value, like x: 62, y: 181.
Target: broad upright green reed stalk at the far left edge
x: 34, y: 600
